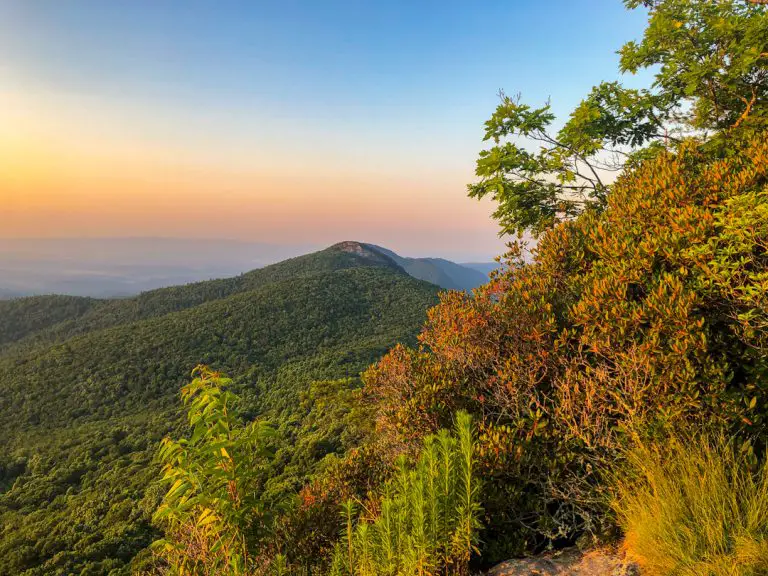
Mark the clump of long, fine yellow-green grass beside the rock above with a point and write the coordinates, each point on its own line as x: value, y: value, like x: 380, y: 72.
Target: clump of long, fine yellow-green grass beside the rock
x: 695, y: 507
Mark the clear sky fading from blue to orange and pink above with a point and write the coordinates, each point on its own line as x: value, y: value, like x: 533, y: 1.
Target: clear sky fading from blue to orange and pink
x: 300, y: 122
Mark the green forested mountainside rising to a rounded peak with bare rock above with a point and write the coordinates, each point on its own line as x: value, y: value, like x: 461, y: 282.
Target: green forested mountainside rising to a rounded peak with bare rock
x: 90, y: 387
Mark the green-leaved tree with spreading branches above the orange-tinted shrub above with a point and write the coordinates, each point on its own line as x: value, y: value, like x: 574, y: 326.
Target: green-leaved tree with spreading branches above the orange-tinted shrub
x: 711, y: 84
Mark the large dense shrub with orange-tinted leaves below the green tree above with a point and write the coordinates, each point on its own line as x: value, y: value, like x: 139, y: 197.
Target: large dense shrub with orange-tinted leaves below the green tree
x: 651, y: 313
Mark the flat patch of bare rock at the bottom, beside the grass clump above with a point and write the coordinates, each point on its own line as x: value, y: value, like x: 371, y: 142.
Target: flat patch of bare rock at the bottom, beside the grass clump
x: 571, y: 562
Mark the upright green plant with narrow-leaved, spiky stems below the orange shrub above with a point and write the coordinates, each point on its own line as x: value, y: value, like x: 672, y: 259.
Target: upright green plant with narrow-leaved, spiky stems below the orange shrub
x: 428, y: 514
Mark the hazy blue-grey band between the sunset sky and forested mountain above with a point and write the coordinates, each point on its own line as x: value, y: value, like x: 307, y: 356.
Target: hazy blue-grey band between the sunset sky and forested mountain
x: 119, y: 267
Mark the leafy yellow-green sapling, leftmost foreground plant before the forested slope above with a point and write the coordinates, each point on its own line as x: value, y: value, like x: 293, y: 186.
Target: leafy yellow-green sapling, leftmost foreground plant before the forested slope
x: 212, y: 511
